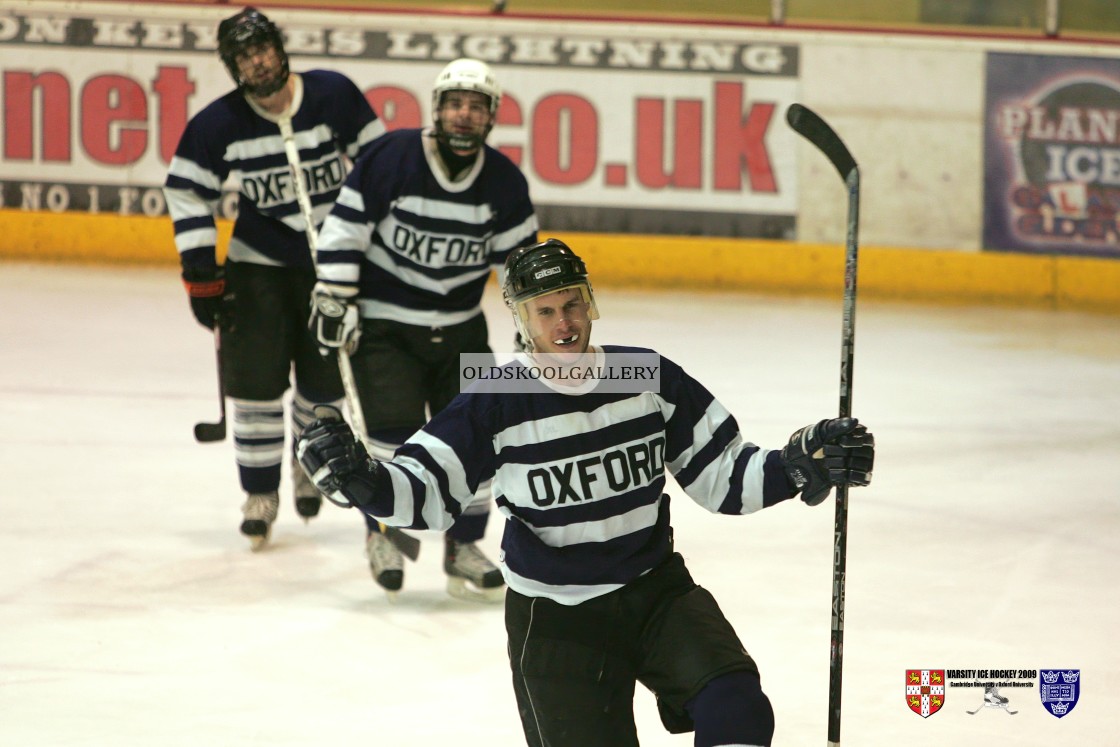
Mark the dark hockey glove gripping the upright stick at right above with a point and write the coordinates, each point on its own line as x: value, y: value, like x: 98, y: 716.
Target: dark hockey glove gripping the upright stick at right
x: 838, y: 452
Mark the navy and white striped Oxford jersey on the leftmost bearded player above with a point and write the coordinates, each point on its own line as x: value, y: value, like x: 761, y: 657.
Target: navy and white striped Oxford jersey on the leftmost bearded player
x: 234, y: 137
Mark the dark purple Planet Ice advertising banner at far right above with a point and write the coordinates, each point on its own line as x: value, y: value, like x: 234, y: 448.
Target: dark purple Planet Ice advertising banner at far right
x: 1052, y: 155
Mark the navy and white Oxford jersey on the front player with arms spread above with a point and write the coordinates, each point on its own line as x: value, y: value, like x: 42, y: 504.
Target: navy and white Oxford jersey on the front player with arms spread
x: 581, y: 479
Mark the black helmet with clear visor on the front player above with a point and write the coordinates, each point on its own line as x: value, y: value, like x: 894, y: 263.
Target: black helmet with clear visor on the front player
x: 542, y: 269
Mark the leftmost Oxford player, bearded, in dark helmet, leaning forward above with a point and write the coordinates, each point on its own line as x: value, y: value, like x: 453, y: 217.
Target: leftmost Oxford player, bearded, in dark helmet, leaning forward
x: 259, y: 298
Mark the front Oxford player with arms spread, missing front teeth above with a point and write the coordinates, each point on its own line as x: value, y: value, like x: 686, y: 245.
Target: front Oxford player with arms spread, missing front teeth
x: 599, y: 600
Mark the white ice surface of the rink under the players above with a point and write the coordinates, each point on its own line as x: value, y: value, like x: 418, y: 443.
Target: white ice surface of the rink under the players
x: 134, y: 613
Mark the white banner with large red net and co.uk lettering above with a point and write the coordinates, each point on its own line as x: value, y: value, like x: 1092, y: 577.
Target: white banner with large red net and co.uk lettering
x: 620, y: 128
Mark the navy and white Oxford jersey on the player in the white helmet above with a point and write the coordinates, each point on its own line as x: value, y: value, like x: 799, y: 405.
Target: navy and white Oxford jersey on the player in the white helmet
x: 415, y: 246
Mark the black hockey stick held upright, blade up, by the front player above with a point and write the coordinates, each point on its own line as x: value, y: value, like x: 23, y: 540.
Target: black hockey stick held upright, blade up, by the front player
x: 811, y: 127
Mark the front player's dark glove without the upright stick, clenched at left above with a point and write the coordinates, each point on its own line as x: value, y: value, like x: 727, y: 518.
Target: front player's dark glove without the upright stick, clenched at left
x: 337, y: 461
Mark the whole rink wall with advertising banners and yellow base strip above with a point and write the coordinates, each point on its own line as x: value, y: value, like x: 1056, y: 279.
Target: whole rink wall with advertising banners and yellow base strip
x: 991, y: 167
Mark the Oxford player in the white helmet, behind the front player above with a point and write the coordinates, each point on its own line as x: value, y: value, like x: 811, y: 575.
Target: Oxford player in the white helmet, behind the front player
x: 412, y: 241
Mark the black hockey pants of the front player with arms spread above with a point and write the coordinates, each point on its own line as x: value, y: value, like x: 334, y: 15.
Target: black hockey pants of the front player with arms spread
x: 575, y: 668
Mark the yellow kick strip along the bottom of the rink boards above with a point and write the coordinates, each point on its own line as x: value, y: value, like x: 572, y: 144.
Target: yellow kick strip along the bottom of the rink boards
x: 685, y: 263
